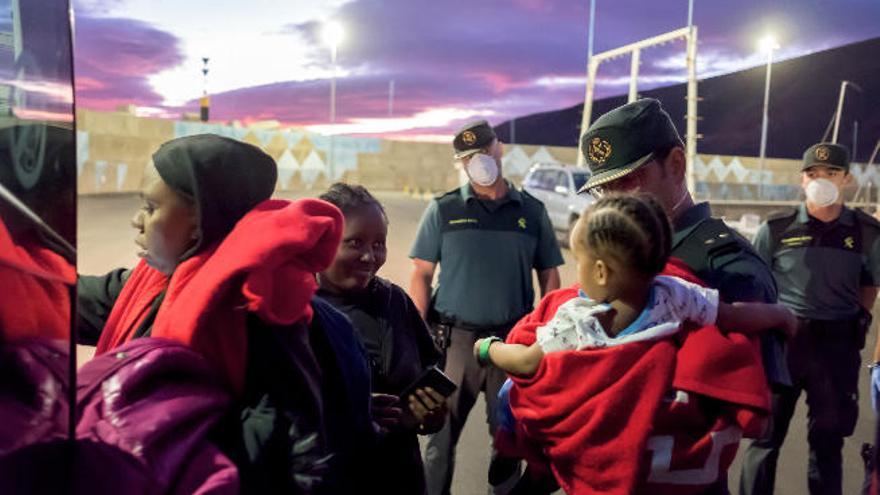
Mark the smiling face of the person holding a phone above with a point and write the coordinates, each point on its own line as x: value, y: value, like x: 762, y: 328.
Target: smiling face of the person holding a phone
x: 361, y: 253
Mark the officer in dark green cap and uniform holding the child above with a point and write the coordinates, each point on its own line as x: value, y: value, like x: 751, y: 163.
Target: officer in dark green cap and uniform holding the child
x: 636, y: 147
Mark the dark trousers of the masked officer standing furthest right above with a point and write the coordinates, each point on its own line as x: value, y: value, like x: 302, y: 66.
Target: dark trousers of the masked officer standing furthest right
x: 824, y: 360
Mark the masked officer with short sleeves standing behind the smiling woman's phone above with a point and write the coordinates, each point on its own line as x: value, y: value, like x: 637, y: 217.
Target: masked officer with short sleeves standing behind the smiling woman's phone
x: 487, y: 237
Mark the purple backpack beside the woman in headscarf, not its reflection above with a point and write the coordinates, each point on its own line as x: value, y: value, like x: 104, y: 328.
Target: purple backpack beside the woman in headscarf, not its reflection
x: 143, y: 413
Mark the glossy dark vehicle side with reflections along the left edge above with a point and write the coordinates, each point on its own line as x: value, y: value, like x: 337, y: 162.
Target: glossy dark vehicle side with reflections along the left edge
x: 37, y: 235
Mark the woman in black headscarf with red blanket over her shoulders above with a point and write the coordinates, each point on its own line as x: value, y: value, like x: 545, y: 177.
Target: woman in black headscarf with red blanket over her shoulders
x: 229, y: 273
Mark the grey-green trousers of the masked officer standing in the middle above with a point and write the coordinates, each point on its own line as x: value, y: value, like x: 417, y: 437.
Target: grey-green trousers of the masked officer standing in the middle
x: 464, y: 370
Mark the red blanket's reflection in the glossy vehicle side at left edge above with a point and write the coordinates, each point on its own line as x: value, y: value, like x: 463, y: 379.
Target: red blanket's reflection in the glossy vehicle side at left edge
x: 35, y: 302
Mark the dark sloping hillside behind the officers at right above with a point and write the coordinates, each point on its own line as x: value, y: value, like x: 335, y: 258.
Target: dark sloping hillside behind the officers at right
x: 803, y: 98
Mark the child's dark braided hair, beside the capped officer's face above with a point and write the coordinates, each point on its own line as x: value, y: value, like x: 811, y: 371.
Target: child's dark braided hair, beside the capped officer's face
x: 630, y: 227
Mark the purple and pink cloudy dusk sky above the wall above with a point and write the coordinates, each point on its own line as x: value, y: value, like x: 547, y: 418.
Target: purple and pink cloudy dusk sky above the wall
x: 450, y: 60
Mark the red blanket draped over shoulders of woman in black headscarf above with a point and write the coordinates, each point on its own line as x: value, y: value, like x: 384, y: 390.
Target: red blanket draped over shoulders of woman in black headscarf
x: 266, y: 265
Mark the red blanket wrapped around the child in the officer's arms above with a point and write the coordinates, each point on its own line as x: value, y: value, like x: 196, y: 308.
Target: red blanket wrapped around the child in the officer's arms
x: 592, y: 413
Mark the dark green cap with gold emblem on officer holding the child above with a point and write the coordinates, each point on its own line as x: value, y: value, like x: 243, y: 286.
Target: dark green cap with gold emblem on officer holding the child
x: 625, y: 138
